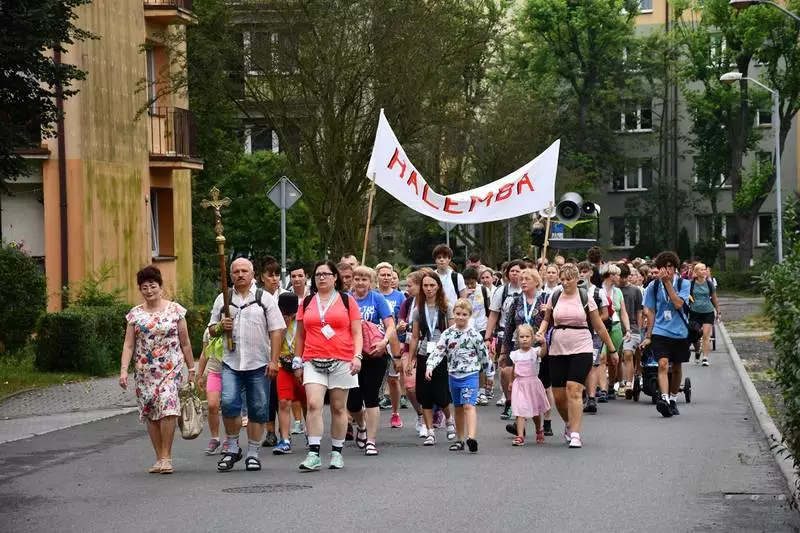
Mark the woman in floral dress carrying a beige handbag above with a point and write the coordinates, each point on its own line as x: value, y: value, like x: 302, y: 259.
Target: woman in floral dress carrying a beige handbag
x: 157, y: 340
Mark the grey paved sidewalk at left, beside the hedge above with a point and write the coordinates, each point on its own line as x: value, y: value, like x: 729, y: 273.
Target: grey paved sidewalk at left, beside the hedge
x: 40, y: 411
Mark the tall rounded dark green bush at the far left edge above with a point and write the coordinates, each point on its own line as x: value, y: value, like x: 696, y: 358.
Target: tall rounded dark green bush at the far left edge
x: 23, y: 297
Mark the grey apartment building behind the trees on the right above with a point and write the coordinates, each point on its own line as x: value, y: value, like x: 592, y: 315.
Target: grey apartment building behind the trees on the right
x: 669, y: 157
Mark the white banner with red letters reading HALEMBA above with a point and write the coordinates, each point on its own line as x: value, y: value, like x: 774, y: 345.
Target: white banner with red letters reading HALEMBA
x: 526, y: 190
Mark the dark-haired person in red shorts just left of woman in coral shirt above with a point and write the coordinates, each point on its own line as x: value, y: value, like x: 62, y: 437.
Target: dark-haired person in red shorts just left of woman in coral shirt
x: 289, y: 389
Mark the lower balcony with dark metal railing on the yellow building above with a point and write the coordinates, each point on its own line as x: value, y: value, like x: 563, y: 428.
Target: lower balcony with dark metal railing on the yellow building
x: 173, y: 139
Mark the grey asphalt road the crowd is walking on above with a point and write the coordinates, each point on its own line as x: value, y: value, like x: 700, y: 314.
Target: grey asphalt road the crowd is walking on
x: 636, y: 472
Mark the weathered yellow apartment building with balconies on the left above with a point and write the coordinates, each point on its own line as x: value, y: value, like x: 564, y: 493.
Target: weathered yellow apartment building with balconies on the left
x: 115, y: 187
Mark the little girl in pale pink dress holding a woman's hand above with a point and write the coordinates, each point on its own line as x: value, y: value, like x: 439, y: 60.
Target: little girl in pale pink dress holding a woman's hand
x: 528, y: 397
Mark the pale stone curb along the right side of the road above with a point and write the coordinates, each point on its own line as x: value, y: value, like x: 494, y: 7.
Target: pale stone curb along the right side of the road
x: 783, y: 458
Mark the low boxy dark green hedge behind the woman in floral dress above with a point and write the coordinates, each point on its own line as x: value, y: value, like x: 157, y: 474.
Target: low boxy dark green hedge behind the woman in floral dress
x: 81, y: 339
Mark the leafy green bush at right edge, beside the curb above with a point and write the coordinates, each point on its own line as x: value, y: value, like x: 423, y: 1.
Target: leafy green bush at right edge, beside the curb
x: 782, y: 291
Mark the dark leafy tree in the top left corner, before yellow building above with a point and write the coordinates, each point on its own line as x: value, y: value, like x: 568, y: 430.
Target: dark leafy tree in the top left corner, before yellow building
x: 30, y: 77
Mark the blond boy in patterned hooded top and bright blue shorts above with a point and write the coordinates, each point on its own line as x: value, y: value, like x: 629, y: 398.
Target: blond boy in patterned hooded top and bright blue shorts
x: 466, y: 356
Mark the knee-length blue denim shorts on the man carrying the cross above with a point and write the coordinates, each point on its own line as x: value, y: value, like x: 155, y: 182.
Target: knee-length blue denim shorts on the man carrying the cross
x: 256, y: 391
